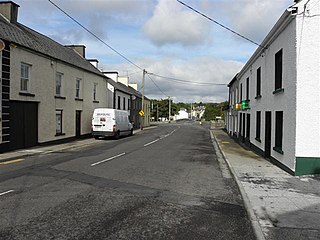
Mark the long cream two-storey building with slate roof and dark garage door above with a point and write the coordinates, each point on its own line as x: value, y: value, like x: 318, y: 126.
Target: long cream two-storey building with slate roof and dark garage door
x: 49, y: 91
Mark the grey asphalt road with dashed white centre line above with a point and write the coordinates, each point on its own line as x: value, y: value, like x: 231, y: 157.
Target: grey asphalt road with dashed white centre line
x: 163, y: 183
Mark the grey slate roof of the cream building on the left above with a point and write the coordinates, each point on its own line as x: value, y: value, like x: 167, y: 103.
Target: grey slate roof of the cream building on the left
x: 28, y: 38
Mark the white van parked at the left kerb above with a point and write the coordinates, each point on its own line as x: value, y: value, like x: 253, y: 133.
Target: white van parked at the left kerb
x: 111, y: 122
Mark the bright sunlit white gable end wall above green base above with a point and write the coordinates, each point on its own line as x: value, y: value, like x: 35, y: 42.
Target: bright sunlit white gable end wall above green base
x: 308, y: 85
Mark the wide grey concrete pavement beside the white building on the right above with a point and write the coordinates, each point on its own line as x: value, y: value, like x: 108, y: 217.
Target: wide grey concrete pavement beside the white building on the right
x: 280, y: 206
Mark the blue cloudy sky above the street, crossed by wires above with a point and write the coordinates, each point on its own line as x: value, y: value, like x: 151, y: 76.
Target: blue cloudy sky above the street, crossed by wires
x: 163, y: 37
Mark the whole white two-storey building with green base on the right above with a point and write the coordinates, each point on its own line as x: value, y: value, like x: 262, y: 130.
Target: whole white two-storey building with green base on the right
x: 297, y: 35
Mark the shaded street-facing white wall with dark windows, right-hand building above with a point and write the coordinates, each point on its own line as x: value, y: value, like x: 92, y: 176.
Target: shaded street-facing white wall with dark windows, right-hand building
x: 284, y: 101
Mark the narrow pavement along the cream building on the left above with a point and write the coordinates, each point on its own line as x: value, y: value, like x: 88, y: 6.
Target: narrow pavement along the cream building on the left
x: 7, y: 157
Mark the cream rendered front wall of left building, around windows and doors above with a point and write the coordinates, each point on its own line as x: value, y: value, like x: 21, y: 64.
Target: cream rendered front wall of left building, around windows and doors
x: 42, y: 84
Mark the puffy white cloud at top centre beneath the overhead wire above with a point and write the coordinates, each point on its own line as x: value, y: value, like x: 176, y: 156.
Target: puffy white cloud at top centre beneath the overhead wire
x: 171, y: 24
